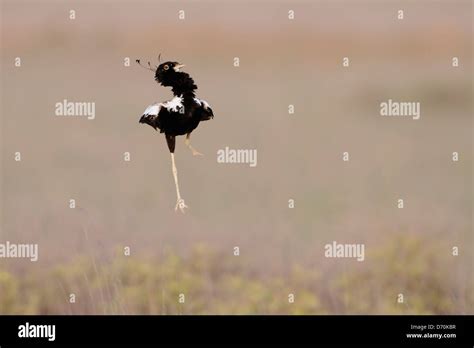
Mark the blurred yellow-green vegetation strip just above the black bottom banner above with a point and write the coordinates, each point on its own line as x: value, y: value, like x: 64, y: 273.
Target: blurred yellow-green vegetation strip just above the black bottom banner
x: 214, y: 283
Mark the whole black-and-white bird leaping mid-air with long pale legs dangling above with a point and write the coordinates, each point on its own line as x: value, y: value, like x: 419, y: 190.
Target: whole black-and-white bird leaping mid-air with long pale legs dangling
x: 178, y: 116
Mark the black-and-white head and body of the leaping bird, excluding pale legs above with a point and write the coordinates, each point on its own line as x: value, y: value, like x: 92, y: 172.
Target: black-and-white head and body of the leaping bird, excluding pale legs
x: 182, y: 114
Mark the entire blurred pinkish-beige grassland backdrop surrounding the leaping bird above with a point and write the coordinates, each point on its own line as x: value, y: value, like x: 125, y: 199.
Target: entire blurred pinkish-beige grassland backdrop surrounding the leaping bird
x: 131, y: 204
